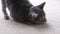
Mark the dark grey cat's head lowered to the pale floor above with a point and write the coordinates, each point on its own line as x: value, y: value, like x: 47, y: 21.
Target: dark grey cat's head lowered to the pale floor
x: 37, y: 14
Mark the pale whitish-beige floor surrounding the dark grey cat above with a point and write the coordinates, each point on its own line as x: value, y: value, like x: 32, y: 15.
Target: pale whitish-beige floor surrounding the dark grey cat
x: 52, y: 26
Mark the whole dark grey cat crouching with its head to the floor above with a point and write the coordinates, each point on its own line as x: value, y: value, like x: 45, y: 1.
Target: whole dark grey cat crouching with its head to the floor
x: 24, y: 11
